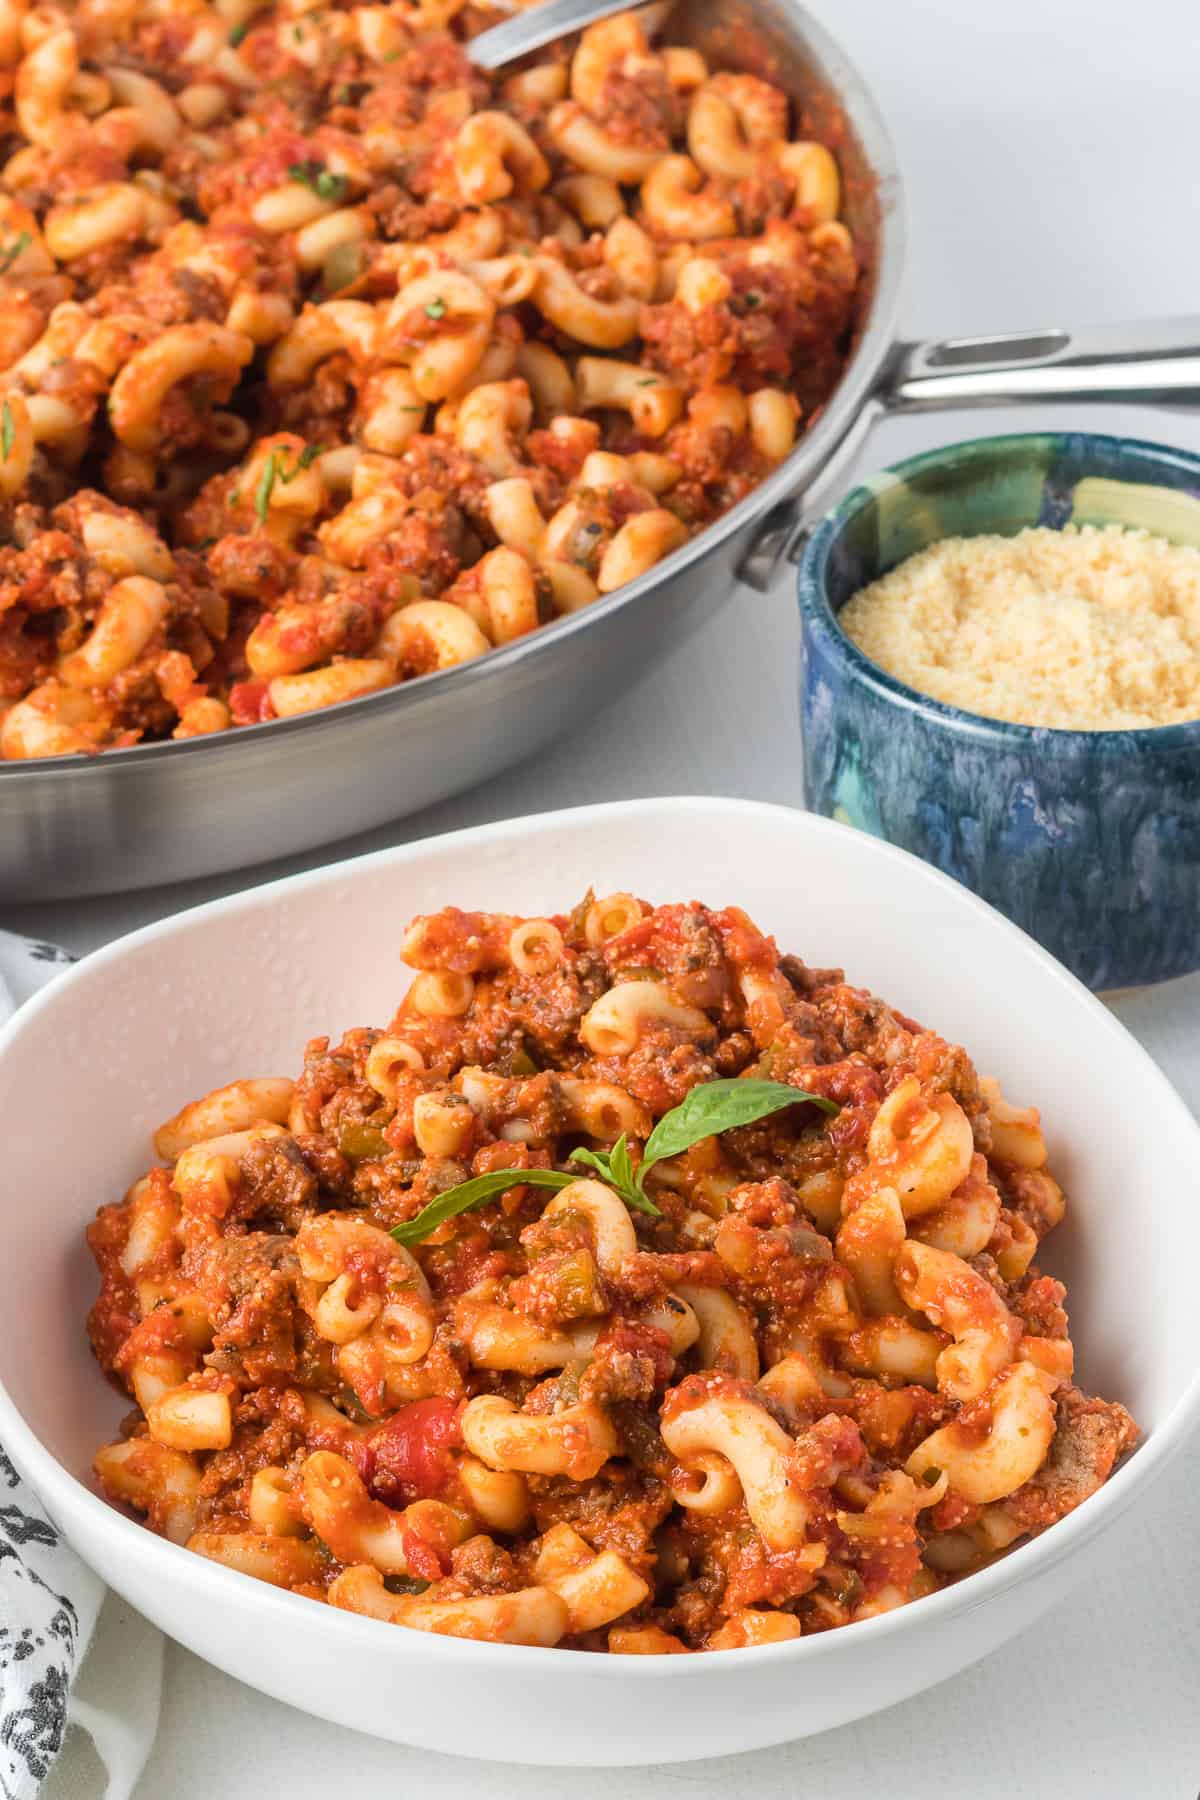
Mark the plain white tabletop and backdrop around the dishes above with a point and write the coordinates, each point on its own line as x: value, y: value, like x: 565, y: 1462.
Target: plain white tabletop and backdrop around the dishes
x: 1050, y: 150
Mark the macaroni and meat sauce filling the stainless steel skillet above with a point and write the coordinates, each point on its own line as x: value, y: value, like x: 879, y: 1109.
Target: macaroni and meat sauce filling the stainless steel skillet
x: 328, y: 361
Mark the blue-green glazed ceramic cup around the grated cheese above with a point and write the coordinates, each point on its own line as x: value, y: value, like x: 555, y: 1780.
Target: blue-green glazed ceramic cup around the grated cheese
x: 1088, y: 840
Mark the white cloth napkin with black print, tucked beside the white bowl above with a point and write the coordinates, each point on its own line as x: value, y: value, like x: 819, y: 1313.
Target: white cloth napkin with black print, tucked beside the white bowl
x: 51, y: 1601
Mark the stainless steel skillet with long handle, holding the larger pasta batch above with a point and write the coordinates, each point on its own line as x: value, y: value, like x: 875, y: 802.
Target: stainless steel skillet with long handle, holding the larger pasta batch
x: 175, y: 811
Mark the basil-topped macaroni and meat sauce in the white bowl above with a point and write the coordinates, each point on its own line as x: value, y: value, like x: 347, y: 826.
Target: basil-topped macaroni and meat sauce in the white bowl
x: 636, y: 1290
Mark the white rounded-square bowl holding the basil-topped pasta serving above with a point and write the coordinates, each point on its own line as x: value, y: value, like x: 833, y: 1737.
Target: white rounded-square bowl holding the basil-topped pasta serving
x: 237, y: 987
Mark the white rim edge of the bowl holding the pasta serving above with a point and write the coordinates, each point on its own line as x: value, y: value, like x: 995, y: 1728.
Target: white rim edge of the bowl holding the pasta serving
x: 125, y: 1538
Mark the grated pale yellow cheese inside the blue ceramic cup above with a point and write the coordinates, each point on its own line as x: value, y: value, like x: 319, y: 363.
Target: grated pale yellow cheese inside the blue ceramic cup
x: 1086, y: 631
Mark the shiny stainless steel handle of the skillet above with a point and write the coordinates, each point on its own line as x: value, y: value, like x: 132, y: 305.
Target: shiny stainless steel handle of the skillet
x: 1156, y: 363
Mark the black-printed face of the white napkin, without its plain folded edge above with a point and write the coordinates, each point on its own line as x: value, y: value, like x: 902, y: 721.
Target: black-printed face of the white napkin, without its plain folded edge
x: 49, y: 1599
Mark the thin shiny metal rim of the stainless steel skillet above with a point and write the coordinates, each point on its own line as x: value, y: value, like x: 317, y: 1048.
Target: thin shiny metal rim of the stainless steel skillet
x: 870, y: 343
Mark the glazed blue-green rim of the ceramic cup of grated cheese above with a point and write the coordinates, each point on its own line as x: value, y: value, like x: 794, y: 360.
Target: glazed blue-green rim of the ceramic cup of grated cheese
x: 821, y: 622
